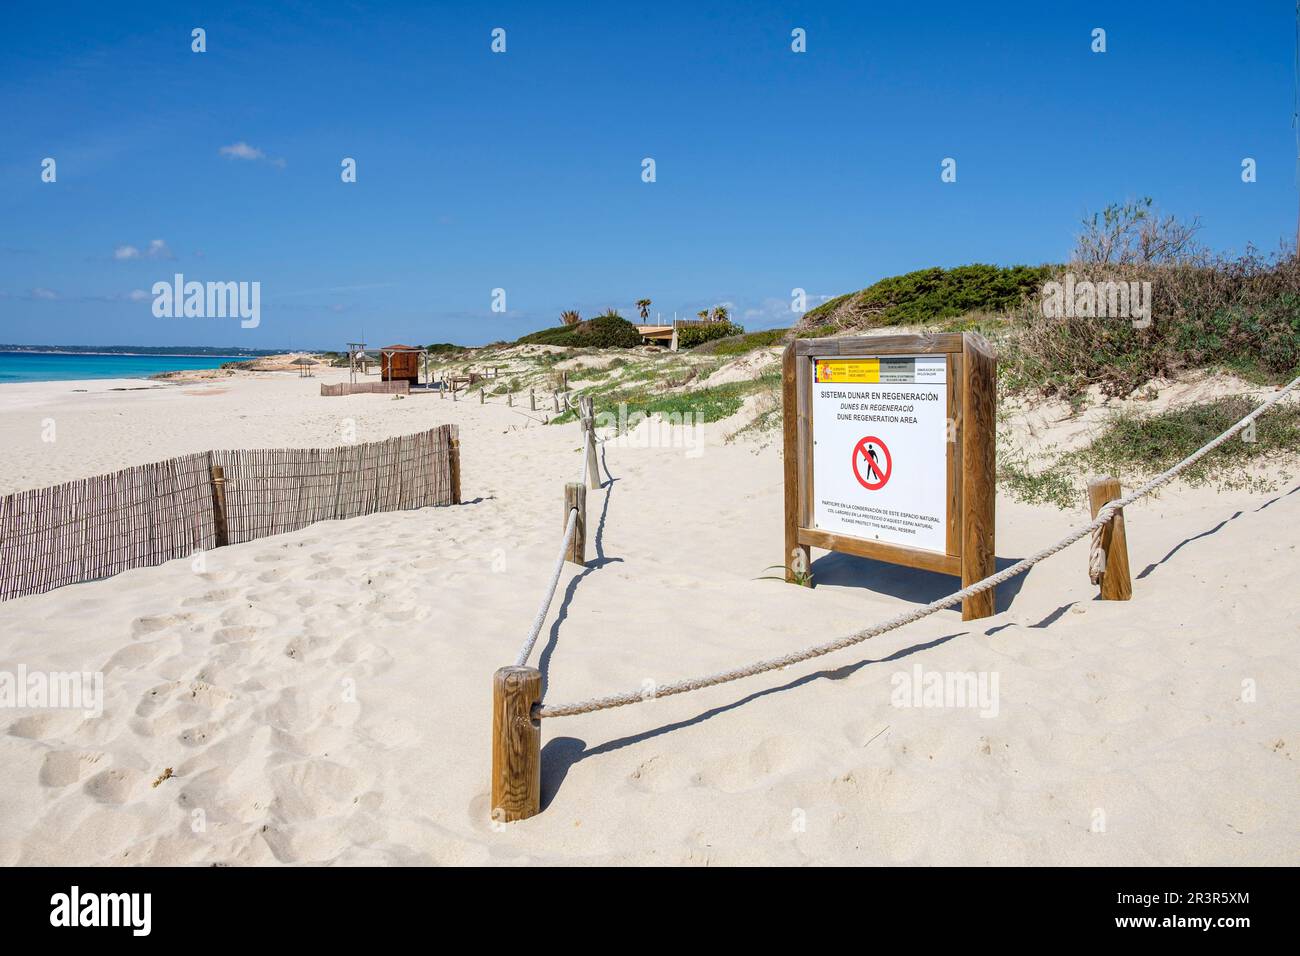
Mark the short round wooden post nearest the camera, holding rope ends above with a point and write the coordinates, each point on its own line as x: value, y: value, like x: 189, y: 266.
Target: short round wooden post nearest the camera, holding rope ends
x: 517, y: 745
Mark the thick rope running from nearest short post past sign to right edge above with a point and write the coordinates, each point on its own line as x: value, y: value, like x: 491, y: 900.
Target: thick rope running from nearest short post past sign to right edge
x: 918, y: 613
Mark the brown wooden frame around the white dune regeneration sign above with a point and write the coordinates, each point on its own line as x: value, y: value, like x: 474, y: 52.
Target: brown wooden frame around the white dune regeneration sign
x: 972, y: 379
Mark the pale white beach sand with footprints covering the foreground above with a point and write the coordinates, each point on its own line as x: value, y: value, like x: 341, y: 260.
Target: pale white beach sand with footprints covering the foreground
x: 1121, y: 734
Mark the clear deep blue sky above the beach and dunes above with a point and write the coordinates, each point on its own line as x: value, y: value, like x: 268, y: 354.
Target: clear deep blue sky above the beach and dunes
x: 522, y: 171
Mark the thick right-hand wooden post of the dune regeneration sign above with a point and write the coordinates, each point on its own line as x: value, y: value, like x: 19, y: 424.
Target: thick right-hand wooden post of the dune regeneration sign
x: 980, y: 473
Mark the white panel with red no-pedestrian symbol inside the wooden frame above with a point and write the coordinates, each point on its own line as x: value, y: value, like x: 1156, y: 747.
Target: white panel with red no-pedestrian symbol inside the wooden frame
x: 881, y: 449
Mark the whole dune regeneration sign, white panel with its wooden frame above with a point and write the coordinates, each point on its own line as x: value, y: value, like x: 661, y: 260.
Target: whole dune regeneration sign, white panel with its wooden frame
x: 890, y: 453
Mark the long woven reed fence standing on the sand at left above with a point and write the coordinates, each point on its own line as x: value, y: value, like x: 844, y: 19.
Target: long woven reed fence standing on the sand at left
x: 140, y: 517
